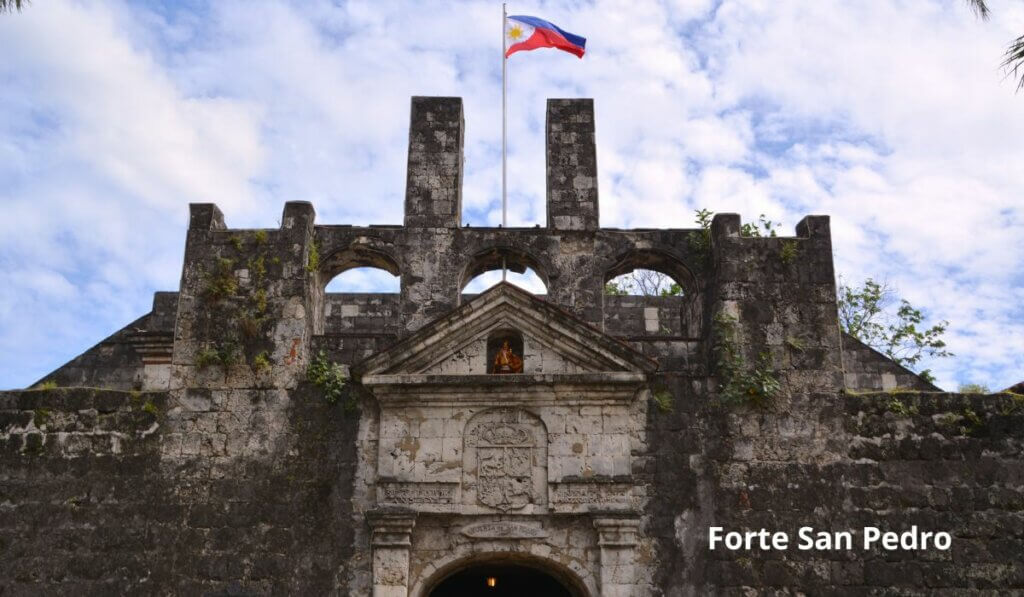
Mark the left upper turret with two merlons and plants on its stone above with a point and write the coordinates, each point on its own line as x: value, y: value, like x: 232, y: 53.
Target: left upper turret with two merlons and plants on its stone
x: 247, y: 302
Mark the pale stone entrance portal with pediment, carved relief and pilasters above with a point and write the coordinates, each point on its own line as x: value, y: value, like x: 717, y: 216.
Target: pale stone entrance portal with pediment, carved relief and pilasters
x: 466, y: 465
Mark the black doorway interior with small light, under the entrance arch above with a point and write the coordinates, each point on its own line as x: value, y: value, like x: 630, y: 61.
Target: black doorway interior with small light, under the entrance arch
x: 509, y: 581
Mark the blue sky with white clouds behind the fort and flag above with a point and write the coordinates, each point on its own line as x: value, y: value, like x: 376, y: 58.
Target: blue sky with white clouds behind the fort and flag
x: 891, y: 116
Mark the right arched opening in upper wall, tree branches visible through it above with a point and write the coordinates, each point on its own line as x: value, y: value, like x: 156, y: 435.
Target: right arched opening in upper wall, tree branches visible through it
x: 650, y: 293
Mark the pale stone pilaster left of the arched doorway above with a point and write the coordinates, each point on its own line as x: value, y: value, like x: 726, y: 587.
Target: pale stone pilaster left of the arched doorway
x: 392, y: 539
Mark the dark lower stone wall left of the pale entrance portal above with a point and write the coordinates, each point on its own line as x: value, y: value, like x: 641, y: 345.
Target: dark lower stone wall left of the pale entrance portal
x: 223, y: 493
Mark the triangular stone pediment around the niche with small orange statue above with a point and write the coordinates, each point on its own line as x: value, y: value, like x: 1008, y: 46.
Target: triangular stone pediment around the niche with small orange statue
x: 554, y: 343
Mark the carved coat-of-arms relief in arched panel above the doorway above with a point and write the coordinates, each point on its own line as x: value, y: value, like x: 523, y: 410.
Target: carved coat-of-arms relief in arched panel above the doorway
x: 505, y: 460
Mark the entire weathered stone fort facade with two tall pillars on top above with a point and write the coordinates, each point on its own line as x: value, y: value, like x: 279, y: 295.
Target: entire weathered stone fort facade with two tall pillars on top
x: 571, y: 444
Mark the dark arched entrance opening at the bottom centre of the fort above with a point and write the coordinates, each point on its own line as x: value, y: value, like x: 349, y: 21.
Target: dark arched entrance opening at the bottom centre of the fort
x: 506, y: 579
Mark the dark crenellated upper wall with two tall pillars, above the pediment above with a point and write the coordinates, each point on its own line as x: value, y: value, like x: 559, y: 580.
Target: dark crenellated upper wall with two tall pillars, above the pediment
x: 258, y: 296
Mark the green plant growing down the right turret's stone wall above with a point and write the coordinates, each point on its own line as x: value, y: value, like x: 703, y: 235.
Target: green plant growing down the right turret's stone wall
x: 741, y: 383
